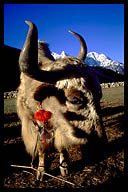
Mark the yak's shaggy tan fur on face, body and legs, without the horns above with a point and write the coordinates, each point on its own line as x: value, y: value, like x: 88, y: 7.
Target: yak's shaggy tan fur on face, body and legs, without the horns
x: 73, y: 102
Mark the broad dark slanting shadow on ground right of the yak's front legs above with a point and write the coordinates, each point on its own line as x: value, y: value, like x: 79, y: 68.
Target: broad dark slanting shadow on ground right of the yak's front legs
x: 94, y: 154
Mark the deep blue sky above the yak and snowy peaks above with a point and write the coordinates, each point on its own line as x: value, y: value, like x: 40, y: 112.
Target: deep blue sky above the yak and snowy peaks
x: 101, y: 25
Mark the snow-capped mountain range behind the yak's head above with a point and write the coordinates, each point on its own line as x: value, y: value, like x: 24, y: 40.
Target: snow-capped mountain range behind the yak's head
x: 100, y: 60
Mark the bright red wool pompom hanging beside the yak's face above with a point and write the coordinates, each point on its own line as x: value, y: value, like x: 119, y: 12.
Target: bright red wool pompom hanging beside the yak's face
x: 42, y: 115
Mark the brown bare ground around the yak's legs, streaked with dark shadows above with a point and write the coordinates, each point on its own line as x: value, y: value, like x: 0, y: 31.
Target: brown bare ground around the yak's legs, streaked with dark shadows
x: 101, y: 170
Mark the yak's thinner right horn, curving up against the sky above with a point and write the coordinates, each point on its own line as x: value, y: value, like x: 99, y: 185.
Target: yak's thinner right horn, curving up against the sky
x: 83, y: 46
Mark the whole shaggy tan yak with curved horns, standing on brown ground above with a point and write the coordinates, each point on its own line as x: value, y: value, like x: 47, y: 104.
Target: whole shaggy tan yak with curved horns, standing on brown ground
x: 68, y: 88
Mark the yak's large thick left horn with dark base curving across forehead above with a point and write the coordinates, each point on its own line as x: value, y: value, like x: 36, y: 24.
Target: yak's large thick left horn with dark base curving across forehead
x: 28, y: 60
